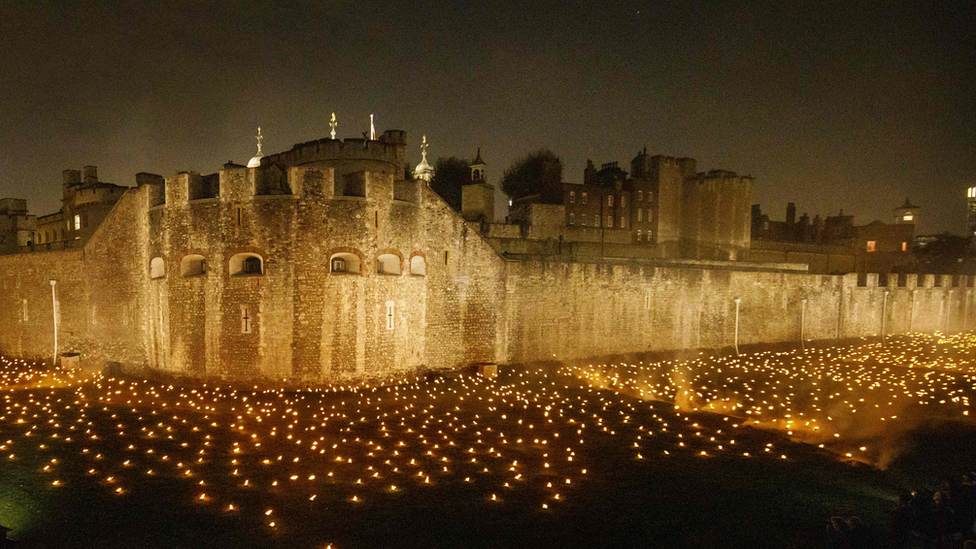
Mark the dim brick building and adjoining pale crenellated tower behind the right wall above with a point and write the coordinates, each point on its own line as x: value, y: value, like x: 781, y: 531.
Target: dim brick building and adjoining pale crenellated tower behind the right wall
x: 663, y: 208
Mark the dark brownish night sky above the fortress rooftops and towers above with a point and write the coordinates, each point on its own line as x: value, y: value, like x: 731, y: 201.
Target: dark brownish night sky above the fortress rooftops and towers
x: 830, y: 105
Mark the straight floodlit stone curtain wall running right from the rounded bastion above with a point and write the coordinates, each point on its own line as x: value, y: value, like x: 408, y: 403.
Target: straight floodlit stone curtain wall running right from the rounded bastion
x: 573, y: 310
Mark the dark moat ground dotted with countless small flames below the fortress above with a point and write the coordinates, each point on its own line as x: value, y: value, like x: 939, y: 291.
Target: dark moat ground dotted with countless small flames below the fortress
x: 709, y: 451
